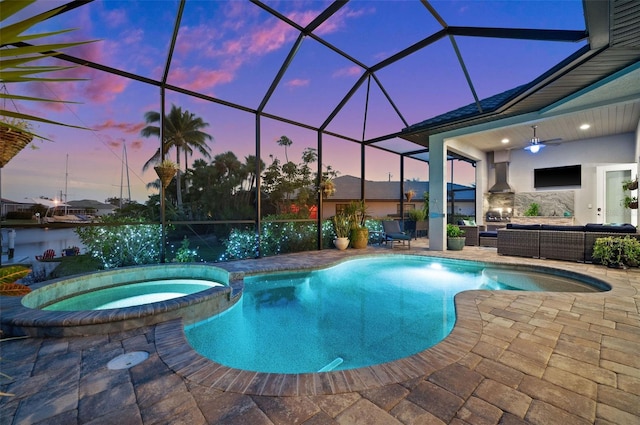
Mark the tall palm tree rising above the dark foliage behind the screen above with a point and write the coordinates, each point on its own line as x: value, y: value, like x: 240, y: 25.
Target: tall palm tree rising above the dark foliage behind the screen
x: 182, y: 130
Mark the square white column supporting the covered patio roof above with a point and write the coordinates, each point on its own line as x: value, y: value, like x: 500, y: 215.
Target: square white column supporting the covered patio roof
x: 437, y: 193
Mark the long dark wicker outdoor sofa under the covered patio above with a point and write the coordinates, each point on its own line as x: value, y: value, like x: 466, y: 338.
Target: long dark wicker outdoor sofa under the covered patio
x: 571, y: 243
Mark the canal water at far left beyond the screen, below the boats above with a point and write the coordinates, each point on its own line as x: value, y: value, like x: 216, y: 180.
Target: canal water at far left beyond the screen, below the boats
x: 34, y: 241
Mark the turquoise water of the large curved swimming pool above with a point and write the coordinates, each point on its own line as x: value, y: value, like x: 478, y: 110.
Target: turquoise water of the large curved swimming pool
x: 358, y: 313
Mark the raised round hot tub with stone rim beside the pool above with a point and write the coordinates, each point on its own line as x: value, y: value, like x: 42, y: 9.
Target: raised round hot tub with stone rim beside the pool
x: 56, y: 308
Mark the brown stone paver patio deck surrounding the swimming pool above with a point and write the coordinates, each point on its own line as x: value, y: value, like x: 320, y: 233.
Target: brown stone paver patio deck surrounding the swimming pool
x: 513, y: 358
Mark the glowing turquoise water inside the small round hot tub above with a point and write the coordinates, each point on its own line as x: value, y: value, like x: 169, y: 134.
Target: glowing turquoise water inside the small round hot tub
x: 132, y: 294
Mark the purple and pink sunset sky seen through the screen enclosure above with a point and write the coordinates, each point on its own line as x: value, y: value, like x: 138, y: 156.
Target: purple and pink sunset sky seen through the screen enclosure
x: 232, y: 50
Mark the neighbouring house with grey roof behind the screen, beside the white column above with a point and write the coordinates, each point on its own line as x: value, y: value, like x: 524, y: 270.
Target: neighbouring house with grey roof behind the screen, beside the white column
x: 383, y: 197
